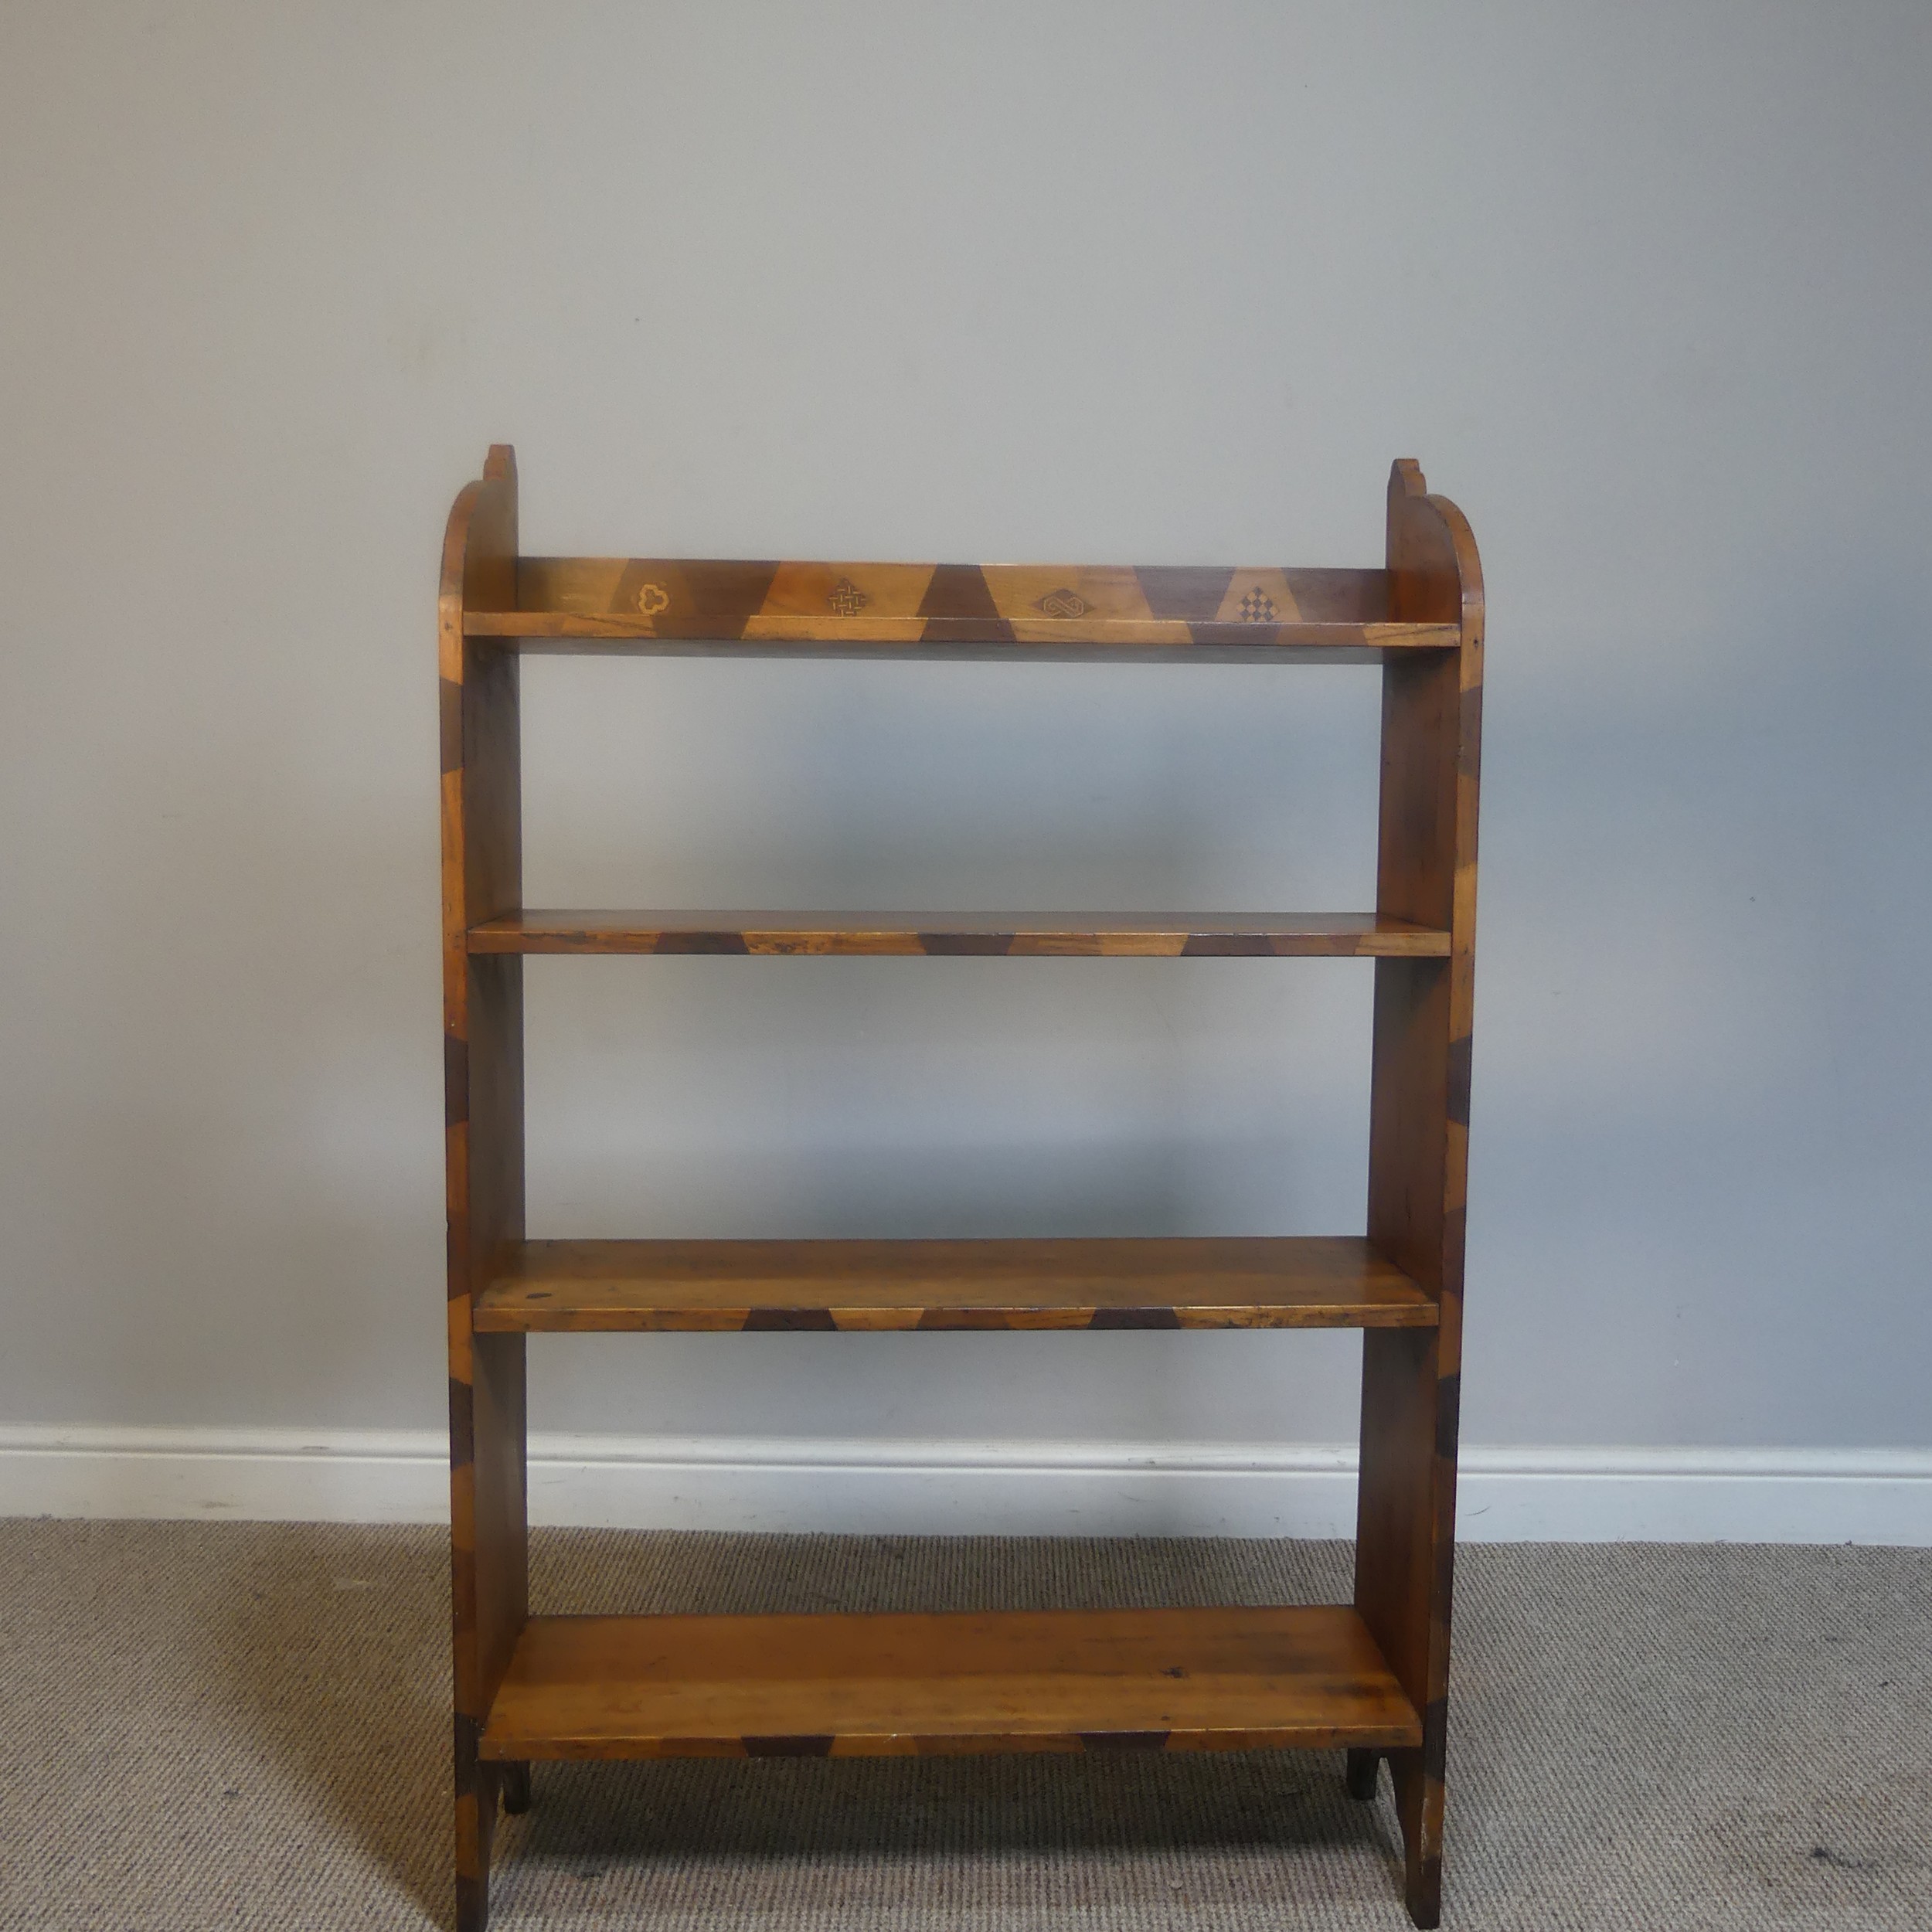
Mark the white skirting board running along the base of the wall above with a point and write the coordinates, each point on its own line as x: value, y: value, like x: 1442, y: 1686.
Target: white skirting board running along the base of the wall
x: 1776, y: 1496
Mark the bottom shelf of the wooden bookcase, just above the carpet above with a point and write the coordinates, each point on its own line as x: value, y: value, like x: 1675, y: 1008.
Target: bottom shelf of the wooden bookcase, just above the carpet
x: 899, y: 1686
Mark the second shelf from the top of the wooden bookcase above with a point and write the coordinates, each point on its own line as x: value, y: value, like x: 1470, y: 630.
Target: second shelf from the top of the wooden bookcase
x: 969, y: 934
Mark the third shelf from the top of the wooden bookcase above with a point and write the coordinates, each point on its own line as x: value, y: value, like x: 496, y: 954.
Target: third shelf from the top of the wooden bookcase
x: 882, y: 1286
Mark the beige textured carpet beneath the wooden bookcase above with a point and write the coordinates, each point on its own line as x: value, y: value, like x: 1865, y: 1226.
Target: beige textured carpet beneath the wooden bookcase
x: 248, y: 1726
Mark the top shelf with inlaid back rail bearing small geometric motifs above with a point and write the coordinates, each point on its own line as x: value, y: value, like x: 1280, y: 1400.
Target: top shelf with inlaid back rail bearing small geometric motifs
x: 1031, y: 611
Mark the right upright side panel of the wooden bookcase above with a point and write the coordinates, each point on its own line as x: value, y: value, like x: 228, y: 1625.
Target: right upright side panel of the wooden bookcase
x: 1419, y: 1147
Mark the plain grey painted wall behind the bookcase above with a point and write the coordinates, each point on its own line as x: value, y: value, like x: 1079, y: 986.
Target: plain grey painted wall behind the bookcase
x: 1647, y: 293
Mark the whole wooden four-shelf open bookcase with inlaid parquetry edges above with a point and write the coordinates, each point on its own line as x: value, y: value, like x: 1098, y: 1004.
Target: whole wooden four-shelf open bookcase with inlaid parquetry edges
x: 1371, y: 1676
